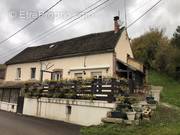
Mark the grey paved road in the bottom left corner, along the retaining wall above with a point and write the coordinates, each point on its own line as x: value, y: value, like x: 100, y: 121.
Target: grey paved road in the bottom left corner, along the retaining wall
x: 12, y: 124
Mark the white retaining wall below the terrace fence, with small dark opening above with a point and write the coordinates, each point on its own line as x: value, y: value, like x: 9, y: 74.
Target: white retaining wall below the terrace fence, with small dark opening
x: 84, y: 112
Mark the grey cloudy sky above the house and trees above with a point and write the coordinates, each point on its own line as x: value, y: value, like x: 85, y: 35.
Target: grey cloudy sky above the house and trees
x: 17, y: 13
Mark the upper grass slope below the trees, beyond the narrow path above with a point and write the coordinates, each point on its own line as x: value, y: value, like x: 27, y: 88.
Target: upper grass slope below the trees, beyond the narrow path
x: 171, y: 91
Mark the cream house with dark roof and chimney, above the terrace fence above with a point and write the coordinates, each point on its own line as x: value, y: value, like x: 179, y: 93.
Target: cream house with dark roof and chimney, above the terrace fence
x: 106, y: 54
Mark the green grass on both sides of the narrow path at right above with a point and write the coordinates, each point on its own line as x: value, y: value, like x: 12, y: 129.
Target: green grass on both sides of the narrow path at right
x: 164, y: 122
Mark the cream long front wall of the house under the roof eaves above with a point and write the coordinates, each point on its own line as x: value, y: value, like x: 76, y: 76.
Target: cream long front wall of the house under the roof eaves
x: 91, y: 61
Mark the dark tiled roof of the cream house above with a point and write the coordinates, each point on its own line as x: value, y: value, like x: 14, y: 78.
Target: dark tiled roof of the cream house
x: 89, y: 44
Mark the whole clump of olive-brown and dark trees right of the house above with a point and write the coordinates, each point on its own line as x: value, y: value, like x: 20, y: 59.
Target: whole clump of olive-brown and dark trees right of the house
x: 156, y: 51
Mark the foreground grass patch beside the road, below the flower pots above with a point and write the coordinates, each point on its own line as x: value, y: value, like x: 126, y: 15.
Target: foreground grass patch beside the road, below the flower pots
x: 165, y: 121
